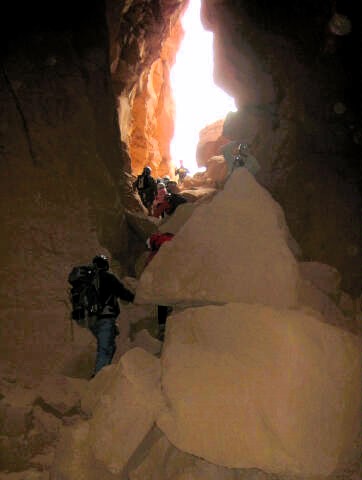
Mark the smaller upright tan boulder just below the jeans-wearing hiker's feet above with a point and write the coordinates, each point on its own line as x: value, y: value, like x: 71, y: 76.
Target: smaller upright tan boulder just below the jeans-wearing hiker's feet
x: 126, y: 409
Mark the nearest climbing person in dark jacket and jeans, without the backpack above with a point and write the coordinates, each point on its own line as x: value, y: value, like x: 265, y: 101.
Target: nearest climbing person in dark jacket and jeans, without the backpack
x: 105, y: 329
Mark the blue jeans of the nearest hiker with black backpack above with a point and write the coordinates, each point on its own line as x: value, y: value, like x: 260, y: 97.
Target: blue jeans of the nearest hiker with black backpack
x: 105, y: 331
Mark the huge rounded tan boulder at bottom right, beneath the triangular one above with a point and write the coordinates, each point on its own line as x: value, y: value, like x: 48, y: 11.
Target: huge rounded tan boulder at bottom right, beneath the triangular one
x: 255, y: 386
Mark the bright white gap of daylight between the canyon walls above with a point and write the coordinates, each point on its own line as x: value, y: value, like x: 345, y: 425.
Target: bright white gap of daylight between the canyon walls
x: 198, y: 101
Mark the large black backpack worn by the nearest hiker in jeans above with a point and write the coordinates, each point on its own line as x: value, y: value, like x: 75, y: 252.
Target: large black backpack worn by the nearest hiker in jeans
x: 84, y: 294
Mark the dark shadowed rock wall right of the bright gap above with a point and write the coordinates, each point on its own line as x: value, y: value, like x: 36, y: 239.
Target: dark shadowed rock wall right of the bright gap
x: 301, y: 86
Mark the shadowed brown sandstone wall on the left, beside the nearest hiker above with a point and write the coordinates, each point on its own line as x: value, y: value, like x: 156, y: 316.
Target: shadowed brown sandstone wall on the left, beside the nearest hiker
x: 60, y: 165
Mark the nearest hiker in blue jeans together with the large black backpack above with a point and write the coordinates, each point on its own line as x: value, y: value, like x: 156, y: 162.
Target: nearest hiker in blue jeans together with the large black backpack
x: 96, y: 298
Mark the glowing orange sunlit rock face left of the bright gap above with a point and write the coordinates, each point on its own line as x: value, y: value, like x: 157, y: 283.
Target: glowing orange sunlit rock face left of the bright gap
x: 144, y: 38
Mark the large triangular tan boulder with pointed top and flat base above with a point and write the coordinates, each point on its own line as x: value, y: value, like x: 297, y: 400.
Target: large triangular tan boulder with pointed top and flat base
x: 230, y: 250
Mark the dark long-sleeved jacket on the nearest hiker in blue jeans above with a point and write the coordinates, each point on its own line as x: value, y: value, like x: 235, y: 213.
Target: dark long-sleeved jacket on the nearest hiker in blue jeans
x: 110, y: 288
